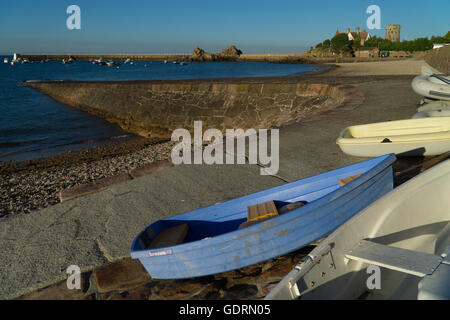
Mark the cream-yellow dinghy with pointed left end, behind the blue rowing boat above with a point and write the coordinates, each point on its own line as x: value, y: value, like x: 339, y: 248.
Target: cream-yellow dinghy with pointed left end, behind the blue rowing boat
x: 411, y: 137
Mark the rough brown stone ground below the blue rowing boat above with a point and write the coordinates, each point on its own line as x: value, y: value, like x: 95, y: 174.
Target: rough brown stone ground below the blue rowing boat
x: 128, y: 280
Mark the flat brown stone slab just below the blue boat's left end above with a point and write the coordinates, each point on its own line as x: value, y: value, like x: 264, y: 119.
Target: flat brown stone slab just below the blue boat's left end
x: 125, y: 274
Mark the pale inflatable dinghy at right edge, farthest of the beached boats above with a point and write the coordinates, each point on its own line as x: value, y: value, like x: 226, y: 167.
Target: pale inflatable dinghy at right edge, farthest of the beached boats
x: 431, y: 85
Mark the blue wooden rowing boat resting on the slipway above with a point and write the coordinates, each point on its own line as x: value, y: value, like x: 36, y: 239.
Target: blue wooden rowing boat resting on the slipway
x: 214, y: 244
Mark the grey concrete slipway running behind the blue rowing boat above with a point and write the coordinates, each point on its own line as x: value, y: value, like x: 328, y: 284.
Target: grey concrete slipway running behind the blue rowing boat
x: 99, y: 228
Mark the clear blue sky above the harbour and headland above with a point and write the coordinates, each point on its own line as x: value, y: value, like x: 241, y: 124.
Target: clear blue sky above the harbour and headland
x: 176, y: 26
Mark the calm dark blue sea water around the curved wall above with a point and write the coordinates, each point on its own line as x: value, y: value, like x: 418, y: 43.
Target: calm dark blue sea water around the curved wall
x: 33, y: 125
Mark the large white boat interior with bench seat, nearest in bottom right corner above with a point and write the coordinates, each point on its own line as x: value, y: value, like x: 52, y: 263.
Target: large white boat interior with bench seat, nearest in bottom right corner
x: 406, y: 233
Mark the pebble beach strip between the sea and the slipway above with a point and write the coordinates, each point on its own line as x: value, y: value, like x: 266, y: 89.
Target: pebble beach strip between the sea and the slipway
x: 35, y: 184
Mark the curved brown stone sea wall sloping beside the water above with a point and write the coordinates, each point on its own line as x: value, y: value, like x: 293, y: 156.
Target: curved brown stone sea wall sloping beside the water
x: 155, y: 109
